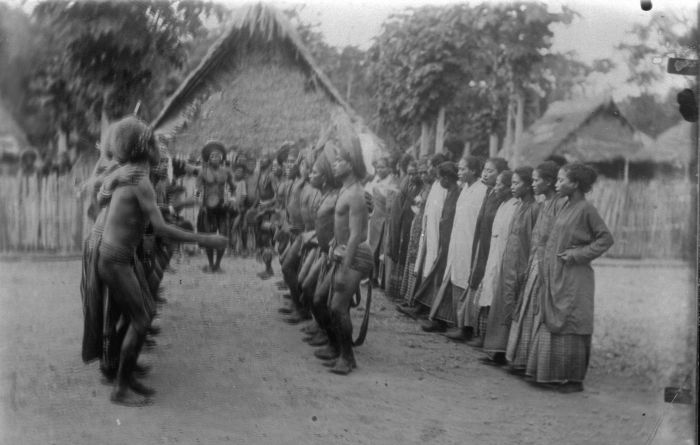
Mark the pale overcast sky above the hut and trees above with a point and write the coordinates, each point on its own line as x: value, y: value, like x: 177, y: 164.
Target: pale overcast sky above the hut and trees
x: 602, y: 25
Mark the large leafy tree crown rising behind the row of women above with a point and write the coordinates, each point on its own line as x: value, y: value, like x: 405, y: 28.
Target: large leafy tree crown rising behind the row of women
x: 471, y: 59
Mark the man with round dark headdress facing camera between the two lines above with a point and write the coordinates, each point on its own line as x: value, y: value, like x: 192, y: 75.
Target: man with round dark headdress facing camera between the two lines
x: 211, y: 186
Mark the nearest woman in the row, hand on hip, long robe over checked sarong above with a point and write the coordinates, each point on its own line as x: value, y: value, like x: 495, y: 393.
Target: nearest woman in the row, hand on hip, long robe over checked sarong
x: 562, y: 345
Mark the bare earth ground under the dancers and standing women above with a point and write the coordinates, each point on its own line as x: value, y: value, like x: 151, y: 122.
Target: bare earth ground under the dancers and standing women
x: 227, y: 370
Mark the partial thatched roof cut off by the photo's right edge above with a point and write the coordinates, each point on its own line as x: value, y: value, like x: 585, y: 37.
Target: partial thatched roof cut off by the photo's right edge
x: 673, y: 146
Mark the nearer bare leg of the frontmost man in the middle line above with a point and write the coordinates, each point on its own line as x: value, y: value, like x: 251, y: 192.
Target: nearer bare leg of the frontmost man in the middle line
x: 340, y: 318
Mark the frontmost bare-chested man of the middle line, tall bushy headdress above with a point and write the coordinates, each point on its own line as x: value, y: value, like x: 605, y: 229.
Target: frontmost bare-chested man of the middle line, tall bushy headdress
x: 352, y: 255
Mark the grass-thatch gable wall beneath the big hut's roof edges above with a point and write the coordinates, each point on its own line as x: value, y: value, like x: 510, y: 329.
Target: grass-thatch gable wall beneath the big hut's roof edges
x: 259, y: 101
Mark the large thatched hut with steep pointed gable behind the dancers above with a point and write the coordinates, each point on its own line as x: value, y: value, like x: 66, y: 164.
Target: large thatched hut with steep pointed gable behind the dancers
x: 257, y: 87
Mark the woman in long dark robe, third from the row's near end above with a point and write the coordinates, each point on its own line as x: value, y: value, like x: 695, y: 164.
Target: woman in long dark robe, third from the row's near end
x: 513, y: 267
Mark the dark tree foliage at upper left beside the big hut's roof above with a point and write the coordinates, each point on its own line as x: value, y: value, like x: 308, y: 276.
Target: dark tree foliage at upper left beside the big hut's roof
x: 104, y: 57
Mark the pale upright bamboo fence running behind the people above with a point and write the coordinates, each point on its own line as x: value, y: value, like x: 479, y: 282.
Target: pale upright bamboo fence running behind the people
x: 648, y: 219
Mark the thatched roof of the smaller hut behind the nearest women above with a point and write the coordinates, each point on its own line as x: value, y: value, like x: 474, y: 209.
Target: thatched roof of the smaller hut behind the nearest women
x: 565, y: 129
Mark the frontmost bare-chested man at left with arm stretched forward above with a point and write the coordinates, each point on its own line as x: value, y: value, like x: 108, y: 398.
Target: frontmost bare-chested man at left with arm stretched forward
x: 130, y: 209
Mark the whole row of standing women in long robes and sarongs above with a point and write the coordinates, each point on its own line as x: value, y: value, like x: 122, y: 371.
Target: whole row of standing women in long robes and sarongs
x: 501, y: 261
